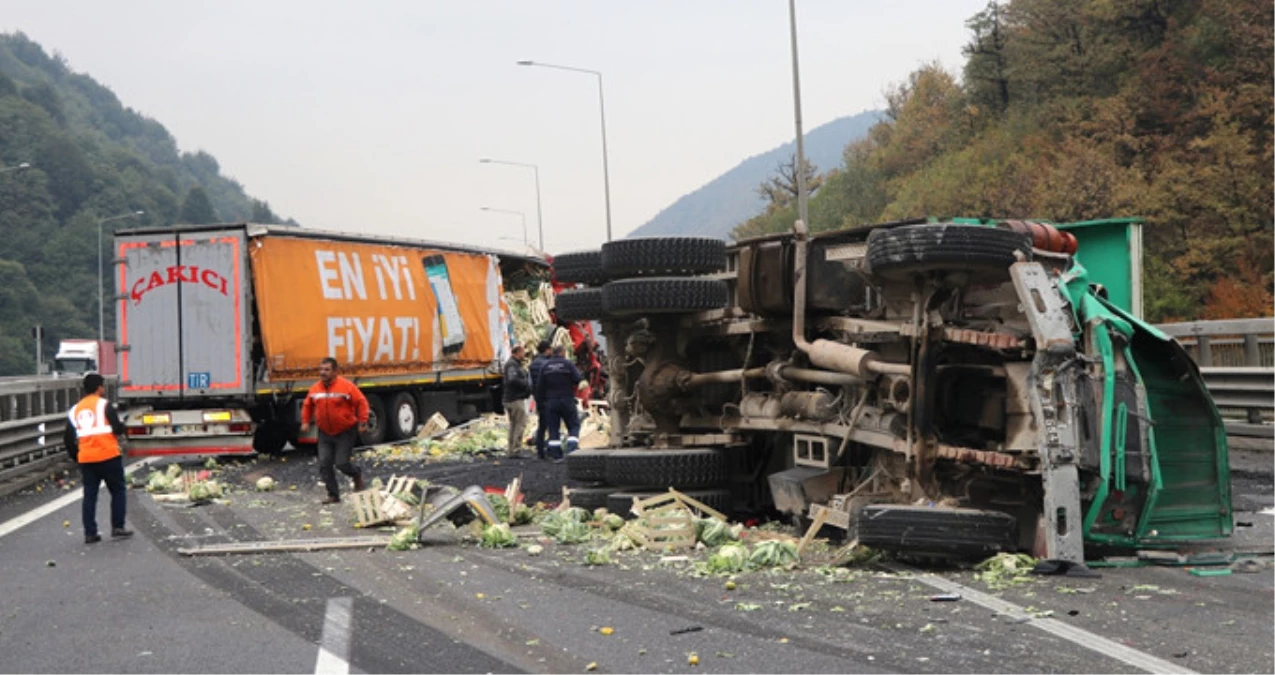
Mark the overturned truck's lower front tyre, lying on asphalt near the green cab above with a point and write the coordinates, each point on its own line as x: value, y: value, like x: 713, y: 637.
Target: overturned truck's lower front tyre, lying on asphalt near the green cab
x: 951, y: 533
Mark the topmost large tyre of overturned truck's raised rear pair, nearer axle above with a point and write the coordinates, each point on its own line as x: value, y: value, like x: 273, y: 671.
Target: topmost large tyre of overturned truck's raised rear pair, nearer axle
x: 662, y: 256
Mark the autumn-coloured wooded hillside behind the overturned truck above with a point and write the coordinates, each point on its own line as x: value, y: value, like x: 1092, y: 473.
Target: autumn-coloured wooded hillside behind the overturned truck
x: 1086, y: 109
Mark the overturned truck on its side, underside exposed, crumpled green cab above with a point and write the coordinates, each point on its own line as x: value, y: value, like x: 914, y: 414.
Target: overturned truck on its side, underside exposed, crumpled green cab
x: 942, y: 389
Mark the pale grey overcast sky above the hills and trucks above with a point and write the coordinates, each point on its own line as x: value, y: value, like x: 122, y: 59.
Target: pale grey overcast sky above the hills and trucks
x: 372, y: 117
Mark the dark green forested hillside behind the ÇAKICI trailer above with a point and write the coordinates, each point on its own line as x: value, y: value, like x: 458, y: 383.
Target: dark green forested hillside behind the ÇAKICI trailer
x: 90, y: 159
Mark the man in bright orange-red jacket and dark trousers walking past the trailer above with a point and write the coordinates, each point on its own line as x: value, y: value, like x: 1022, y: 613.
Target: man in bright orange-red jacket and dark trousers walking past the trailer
x: 340, y: 410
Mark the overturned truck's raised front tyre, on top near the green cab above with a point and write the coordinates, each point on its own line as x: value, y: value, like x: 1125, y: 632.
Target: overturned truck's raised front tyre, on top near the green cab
x: 902, y: 252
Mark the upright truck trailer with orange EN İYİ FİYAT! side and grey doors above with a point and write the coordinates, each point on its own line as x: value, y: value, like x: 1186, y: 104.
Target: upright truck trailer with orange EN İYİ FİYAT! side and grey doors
x: 222, y: 330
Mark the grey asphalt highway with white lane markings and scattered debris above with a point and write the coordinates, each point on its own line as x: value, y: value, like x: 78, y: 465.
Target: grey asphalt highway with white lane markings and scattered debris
x: 140, y: 607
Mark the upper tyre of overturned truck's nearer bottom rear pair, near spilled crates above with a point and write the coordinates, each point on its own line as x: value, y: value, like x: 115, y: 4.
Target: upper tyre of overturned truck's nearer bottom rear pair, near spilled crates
x: 683, y: 468
